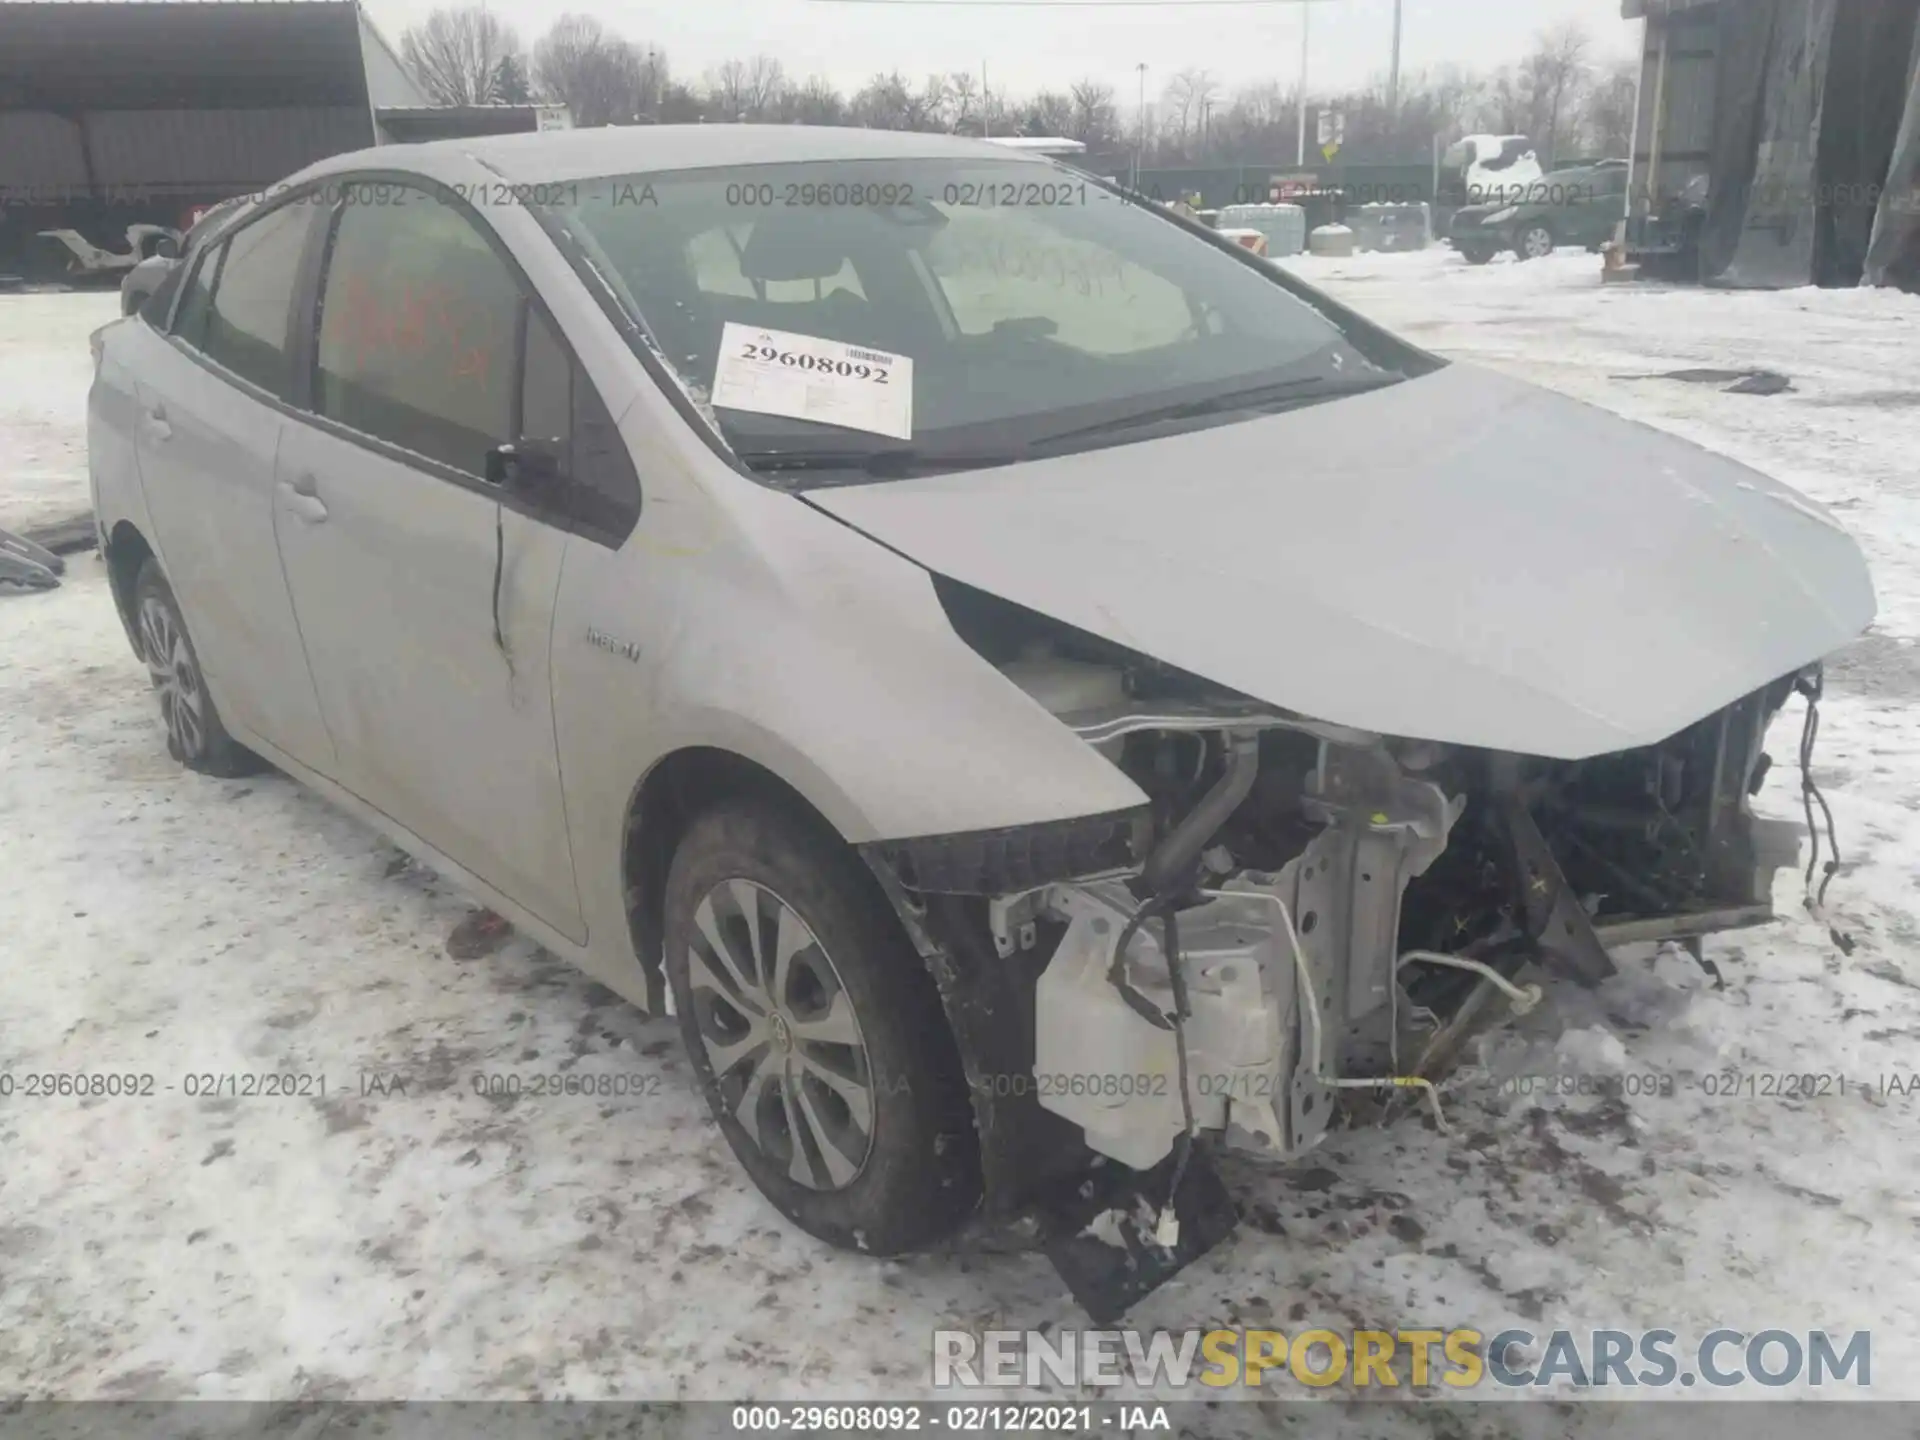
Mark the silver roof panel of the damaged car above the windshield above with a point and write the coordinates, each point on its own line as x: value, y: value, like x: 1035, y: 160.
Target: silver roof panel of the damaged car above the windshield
x: 550, y: 156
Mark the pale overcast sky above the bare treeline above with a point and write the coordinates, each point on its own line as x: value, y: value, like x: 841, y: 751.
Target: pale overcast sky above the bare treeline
x: 1057, y: 45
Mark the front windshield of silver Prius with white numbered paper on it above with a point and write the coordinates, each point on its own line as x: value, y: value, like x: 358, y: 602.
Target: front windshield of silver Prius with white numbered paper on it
x: 1009, y: 304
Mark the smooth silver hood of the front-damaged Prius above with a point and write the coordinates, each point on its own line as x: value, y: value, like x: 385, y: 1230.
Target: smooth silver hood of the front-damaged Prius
x: 1458, y: 558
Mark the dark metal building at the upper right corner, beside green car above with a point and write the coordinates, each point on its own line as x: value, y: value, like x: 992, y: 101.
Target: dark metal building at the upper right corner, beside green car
x: 1779, y: 141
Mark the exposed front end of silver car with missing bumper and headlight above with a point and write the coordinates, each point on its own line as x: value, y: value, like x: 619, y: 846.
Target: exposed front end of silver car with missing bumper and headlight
x: 1303, y: 930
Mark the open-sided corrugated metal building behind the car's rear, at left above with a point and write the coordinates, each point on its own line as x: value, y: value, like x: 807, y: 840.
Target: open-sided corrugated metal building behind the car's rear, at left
x: 137, y: 110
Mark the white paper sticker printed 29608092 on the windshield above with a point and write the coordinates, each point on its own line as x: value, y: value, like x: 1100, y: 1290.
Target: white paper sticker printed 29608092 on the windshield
x: 809, y: 379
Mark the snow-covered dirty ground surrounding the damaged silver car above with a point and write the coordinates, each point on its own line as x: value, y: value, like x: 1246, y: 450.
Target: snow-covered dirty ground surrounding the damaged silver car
x: 421, y: 1241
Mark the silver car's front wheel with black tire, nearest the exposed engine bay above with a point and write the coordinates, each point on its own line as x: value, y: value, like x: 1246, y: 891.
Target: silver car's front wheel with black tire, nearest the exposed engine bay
x: 857, y: 1009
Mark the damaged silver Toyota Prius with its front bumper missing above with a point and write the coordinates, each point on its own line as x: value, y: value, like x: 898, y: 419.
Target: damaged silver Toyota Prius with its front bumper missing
x: 1042, y: 694
